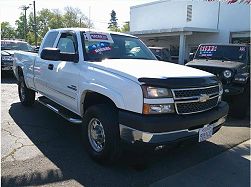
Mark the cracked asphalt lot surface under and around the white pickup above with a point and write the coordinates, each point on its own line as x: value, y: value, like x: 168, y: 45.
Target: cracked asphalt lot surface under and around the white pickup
x: 41, y: 148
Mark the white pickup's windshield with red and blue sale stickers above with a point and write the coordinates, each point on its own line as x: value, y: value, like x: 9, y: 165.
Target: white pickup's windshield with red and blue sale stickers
x: 99, y: 46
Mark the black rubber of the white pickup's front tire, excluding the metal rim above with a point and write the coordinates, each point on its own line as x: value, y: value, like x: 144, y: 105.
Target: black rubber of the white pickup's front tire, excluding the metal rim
x: 107, y: 115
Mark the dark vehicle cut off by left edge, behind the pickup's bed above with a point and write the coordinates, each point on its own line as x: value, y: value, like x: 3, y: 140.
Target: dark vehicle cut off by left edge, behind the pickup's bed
x: 7, y: 51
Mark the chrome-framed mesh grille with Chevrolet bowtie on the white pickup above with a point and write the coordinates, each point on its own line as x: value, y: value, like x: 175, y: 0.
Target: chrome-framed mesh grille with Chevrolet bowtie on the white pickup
x: 189, y: 100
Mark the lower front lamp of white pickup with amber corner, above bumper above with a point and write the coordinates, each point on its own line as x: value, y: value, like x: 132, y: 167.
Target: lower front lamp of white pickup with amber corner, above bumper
x: 158, y: 108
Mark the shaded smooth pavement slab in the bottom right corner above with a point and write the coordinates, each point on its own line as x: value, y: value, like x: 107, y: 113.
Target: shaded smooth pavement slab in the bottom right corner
x: 233, y: 167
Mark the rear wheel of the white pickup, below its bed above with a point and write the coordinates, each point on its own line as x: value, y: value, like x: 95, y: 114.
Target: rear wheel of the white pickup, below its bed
x: 26, y: 95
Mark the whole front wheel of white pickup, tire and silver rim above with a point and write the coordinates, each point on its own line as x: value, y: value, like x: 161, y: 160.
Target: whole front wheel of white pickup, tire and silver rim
x: 101, y: 133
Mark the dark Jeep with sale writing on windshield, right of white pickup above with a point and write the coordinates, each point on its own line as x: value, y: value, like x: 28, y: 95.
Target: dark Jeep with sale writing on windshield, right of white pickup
x: 231, y: 64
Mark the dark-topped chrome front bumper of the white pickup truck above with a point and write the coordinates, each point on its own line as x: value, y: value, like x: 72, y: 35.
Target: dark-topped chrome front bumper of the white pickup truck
x: 164, y: 129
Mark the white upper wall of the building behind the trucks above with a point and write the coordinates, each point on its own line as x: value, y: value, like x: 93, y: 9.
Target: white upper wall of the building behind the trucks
x: 169, y: 14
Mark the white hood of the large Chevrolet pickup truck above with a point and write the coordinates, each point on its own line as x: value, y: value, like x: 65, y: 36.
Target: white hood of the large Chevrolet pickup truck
x: 138, y: 68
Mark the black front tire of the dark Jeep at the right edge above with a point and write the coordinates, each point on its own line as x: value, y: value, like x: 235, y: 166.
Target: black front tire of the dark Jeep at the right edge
x: 240, y: 104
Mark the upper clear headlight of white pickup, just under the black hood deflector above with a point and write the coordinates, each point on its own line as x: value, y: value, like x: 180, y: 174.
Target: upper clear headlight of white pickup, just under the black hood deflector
x: 153, y: 92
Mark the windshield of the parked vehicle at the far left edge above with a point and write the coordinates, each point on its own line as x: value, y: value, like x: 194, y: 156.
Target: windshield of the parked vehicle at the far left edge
x: 9, y: 45
